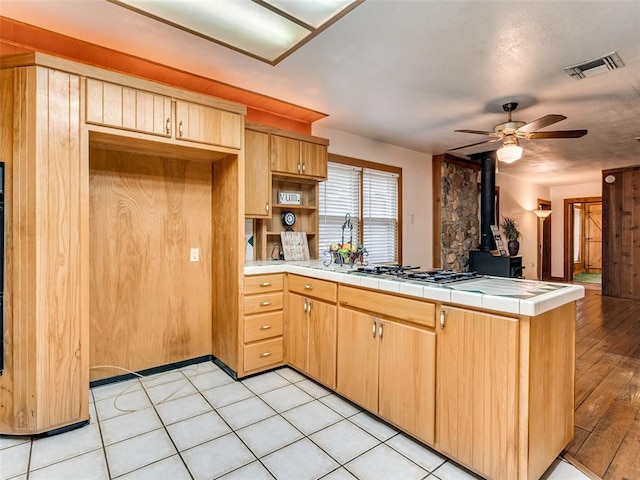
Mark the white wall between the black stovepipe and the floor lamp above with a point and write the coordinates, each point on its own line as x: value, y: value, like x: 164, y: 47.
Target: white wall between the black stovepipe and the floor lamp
x: 518, y: 199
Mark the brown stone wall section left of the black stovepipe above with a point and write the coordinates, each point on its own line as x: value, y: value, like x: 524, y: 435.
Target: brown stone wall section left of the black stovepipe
x: 460, y: 221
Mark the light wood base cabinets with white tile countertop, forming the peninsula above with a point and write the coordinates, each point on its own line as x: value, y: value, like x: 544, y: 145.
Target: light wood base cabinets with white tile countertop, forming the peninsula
x: 483, y: 369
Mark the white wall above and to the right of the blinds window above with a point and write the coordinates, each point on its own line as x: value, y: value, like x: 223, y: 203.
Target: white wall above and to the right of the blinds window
x: 417, y: 199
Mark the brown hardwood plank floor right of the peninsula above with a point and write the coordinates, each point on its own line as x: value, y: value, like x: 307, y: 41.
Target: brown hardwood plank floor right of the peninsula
x: 607, y: 398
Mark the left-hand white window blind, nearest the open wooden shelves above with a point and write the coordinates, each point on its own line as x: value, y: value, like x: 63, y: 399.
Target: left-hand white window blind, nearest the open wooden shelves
x: 339, y: 195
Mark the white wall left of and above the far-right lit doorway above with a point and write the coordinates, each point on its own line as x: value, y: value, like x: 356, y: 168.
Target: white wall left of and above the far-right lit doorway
x: 558, y: 195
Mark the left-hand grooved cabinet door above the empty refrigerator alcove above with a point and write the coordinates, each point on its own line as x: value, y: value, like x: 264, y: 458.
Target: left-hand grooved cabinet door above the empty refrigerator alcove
x: 127, y: 108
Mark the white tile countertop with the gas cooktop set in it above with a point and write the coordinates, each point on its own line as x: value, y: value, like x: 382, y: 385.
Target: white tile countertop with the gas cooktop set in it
x: 506, y: 295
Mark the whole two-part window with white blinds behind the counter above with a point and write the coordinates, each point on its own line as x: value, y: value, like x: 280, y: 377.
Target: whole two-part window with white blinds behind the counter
x: 370, y: 196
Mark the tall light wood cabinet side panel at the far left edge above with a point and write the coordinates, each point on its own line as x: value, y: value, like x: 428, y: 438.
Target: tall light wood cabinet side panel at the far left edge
x: 45, y: 381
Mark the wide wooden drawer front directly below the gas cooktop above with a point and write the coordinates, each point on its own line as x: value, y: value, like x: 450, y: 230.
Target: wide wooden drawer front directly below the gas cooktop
x: 414, y: 311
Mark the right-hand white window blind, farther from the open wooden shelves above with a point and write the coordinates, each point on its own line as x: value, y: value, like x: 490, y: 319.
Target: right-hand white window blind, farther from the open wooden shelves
x: 380, y: 218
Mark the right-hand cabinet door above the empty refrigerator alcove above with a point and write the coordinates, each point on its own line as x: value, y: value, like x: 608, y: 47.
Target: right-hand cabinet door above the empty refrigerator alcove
x: 198, y: 123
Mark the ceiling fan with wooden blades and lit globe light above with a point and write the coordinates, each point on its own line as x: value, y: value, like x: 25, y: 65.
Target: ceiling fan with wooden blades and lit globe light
x: 512, y: 130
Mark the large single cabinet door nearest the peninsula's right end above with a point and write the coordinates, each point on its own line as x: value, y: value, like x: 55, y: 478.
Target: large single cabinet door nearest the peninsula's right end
x: 476, y: 393
